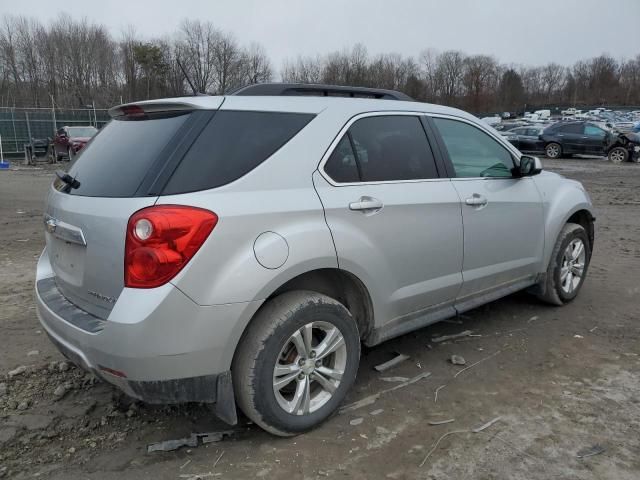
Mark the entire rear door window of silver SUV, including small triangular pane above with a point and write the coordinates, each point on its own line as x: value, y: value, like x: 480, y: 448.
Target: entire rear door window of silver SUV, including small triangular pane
x: 387, y: 148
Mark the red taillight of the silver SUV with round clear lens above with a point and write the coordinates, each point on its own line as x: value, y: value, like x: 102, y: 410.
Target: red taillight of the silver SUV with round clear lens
x: 160, y: 242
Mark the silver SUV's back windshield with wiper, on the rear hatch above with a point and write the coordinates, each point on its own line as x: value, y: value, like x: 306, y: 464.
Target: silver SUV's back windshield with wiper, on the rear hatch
x: 116, y: 160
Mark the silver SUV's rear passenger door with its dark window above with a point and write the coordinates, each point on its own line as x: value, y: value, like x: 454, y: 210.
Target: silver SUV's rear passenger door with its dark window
x: 396, y: 224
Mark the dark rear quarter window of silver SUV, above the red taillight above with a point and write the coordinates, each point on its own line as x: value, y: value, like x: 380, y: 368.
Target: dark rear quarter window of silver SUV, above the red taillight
x: 231, y: 145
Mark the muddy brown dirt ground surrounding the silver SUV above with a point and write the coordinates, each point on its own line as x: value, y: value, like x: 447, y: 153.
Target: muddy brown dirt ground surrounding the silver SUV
x: 560, y: 379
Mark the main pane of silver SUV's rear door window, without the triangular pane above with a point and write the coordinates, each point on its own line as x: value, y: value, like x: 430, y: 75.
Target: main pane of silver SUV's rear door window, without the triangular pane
x: 392, y: 148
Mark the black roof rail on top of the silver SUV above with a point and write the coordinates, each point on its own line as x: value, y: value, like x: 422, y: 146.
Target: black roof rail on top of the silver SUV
x: 310, y: 89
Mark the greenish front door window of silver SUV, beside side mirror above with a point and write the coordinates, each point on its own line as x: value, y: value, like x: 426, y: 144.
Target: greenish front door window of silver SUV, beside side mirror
x: 473, y: 152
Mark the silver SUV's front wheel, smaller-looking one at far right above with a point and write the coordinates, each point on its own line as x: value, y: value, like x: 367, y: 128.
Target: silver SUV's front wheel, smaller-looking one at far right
x: 568, y: 265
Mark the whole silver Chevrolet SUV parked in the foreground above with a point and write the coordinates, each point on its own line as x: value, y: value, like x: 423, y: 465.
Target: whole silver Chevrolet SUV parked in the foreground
x: 239, y: 249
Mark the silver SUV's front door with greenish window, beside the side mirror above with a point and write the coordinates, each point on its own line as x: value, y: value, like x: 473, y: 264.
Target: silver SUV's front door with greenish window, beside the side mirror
x: 502, y: 215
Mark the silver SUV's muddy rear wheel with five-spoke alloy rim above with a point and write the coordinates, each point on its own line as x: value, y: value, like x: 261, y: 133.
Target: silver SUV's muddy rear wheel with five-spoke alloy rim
x: 296, y: 362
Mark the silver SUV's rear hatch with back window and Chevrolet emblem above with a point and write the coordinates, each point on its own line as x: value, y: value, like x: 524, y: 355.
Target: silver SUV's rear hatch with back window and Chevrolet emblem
x: 115, y: 175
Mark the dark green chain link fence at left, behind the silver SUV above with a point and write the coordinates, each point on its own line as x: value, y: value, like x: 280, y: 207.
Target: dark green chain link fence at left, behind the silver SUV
x: 20, y: 127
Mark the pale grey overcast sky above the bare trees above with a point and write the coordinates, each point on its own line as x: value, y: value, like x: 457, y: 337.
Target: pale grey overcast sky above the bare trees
x: 515, y: 31
